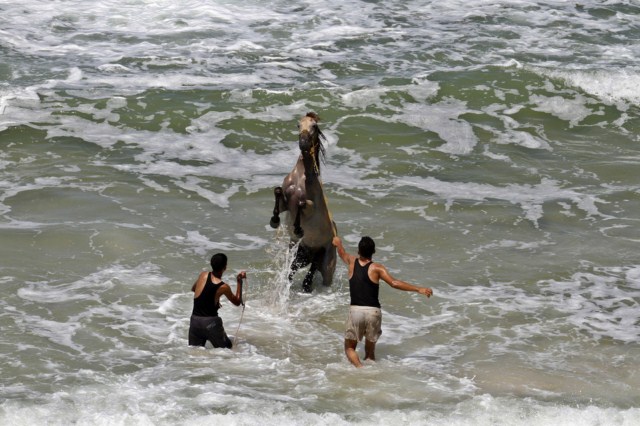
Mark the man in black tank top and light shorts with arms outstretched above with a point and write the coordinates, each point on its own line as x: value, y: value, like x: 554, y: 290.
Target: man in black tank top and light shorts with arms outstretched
x: 365, y: 316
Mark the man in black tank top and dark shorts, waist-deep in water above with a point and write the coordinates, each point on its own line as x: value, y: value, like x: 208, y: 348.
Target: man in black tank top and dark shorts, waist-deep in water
x: 205, y: 324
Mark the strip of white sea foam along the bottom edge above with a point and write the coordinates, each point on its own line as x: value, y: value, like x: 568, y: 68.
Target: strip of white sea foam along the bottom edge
x: 123, y: 398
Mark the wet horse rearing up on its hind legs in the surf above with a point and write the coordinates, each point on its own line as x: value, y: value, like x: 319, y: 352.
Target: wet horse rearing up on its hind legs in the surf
x: 309, y: 221
